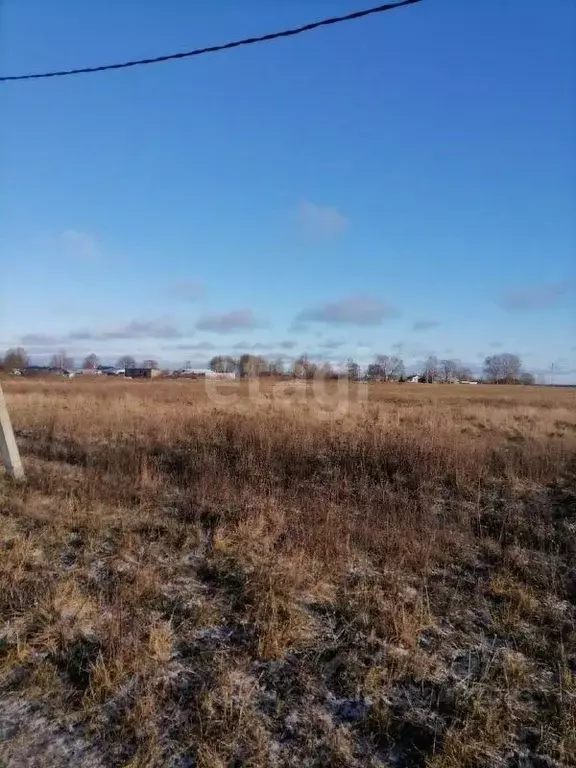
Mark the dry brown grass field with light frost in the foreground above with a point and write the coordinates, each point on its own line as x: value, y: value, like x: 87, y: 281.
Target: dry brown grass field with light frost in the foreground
x: 247, y: 581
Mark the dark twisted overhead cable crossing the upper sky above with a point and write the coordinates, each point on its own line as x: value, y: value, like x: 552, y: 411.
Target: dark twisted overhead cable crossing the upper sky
x: 214, y: 48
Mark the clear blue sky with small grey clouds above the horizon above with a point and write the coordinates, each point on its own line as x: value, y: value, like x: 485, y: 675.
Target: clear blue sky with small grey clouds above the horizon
x: 407, y: 179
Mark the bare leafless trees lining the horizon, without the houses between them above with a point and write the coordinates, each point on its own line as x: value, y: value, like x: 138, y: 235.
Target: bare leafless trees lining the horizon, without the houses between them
x: 504, y: 368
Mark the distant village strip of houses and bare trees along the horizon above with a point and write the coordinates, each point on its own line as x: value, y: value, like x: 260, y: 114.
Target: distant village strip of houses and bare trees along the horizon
x: 503, y: 368
